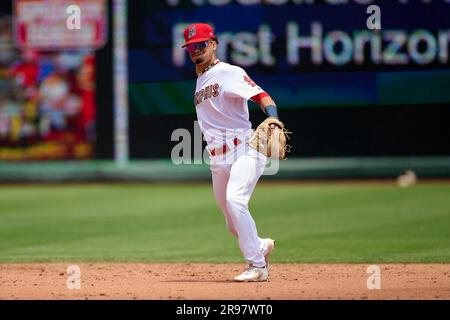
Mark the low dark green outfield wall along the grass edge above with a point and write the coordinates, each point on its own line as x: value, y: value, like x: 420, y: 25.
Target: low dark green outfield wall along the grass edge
x: 165, y: 170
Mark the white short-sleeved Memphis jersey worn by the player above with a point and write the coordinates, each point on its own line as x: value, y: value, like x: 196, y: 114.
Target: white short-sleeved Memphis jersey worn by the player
x: 221, y: 96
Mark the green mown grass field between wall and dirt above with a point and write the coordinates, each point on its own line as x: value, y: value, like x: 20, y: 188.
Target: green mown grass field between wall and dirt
x: 366, y: 223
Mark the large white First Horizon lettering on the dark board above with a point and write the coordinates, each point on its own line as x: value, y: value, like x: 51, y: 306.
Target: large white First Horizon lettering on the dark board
x: 336, y: 47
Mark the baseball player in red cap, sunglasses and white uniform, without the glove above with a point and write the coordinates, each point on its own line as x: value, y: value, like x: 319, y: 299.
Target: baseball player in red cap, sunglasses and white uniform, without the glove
x: 221, y: 96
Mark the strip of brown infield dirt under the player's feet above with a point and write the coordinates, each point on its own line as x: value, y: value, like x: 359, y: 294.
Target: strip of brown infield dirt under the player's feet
x: 214, y: 281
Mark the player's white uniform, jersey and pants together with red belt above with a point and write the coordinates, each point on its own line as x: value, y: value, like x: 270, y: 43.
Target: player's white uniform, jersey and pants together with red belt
x: 221, y: 96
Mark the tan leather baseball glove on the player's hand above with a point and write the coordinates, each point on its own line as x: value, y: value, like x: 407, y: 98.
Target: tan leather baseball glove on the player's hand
x: 271, y: 140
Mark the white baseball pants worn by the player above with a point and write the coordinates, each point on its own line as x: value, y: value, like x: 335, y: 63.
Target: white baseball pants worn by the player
x: 234, y: 177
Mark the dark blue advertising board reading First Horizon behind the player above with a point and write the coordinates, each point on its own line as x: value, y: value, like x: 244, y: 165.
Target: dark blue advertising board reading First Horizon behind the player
x: 306, y: 54
